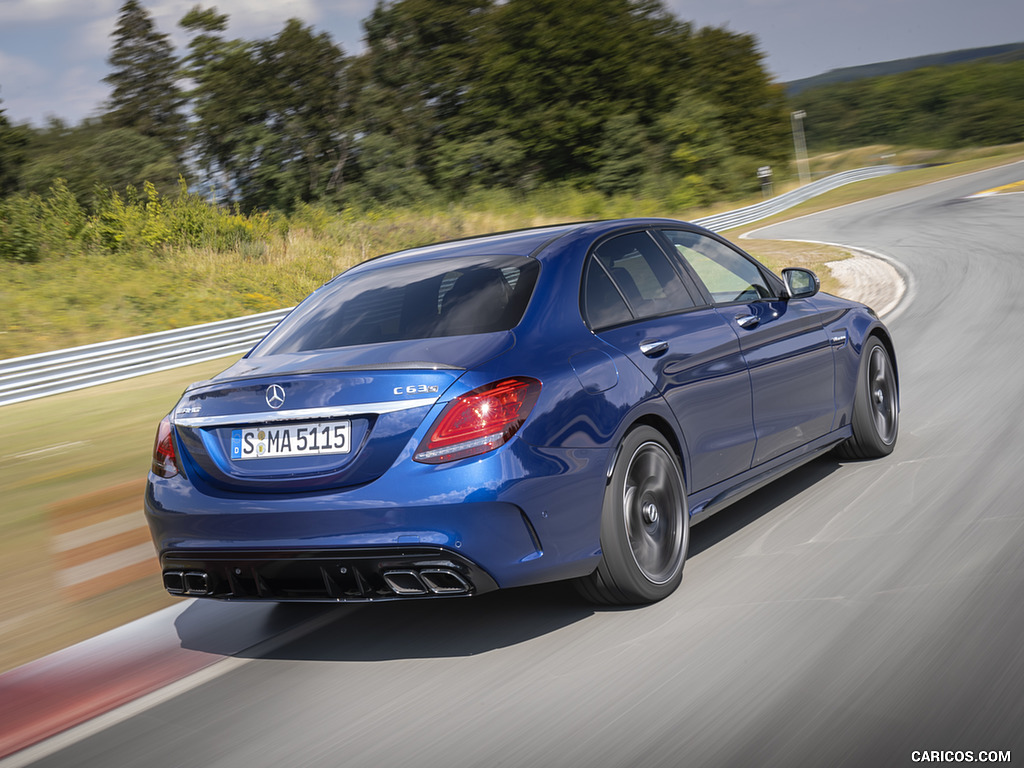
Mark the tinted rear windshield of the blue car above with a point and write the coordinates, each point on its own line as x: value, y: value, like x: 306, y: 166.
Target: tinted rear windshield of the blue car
x: 399, y: 303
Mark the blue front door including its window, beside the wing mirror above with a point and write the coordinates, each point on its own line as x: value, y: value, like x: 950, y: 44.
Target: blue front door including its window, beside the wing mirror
x: 784, y: 343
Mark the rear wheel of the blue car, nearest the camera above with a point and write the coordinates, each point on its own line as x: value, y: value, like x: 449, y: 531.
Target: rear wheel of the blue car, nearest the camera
x: 645, y: 525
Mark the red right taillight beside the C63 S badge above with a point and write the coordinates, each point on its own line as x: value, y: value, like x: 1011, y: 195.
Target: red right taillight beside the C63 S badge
x: 480, y: 421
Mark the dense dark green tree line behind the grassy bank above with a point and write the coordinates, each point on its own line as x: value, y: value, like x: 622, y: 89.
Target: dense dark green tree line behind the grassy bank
x: 618, y: 96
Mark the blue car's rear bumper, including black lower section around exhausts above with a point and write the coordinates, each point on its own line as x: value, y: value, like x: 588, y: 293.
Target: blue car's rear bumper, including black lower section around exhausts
x: 541, y: 525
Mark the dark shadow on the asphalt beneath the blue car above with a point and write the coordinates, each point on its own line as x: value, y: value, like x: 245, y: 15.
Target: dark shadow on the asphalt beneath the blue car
x: 447, y: 628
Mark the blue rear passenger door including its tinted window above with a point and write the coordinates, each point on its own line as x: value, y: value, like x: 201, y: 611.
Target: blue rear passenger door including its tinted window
x: 637, y: 301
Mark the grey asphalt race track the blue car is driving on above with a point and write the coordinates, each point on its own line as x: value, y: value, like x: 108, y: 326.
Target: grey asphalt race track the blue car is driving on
x: 848, y: 615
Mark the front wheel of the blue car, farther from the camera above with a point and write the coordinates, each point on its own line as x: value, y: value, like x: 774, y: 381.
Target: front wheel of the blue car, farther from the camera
x: 876, y: 406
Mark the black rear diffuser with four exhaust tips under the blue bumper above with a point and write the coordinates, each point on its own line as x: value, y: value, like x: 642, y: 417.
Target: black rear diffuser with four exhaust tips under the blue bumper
x: 365, y: 575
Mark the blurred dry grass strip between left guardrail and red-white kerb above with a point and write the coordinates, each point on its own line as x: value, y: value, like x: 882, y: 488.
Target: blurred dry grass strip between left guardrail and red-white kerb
x: 59, y: 449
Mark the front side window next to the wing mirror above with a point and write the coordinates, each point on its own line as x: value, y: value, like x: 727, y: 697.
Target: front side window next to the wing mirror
x: 729, y: 276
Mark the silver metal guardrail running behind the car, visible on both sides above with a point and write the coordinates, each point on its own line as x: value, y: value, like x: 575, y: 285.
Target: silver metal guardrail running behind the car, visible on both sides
x: 77, y: 368
